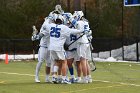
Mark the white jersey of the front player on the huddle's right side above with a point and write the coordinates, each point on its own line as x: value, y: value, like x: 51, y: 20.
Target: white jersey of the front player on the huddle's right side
x: 82, y: 25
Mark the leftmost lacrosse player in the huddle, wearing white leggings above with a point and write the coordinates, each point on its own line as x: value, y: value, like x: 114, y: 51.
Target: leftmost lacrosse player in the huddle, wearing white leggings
x: 43, y: 53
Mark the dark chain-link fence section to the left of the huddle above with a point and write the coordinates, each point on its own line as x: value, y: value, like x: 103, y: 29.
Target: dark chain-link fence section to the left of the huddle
x: 18, y: 47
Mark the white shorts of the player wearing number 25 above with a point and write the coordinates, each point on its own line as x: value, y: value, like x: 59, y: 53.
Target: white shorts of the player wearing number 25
x: 57, y: 55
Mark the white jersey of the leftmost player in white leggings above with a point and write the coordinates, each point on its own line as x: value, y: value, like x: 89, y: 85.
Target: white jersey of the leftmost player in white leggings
x: 44, y: 42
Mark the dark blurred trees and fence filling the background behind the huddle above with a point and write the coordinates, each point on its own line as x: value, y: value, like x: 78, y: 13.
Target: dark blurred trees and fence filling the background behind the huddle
x: 113, y: 25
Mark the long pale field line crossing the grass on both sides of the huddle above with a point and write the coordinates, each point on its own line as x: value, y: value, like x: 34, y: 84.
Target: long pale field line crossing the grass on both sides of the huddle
x: 94, y: 80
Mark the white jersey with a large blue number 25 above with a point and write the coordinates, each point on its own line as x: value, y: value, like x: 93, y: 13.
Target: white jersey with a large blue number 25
x: 58, y: 35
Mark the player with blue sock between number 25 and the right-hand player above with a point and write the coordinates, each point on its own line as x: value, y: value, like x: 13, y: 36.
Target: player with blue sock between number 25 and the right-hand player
x: 71, y: 51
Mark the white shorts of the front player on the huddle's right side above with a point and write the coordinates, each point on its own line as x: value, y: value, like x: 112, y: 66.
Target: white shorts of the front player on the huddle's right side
x: 82, y: 50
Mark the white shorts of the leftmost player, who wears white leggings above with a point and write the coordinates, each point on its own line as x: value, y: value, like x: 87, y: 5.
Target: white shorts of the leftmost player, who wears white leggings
x: 44, y: 55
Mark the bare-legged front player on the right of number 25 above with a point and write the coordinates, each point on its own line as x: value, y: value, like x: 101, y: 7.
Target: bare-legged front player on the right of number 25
x: 82, y: 47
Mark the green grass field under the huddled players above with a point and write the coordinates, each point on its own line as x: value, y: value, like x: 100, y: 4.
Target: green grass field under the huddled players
x: 110, y: 77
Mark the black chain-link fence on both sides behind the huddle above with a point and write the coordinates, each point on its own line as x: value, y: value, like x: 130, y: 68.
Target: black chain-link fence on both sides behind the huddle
x: 26, y: 46
